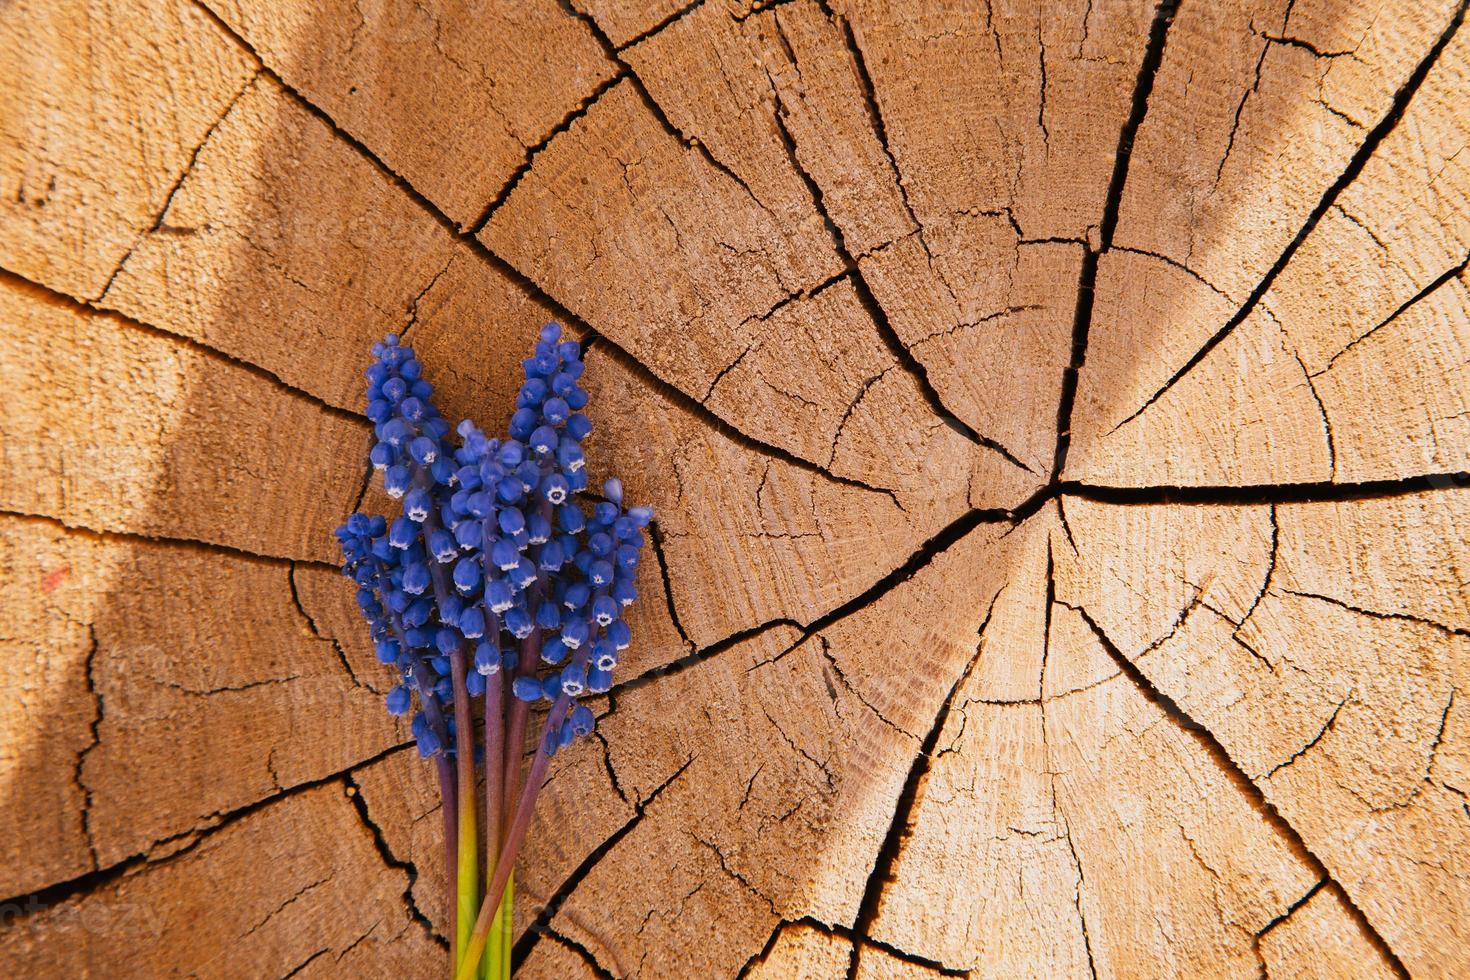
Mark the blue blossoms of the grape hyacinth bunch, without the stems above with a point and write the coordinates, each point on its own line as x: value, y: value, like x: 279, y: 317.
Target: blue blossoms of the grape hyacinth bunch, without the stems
x: 493, y: 556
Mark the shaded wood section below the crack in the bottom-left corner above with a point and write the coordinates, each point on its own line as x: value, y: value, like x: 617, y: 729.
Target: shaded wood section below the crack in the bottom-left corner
x: 327, y: 890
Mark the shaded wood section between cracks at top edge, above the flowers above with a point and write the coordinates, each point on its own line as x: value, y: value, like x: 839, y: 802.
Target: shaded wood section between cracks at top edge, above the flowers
x: 452, y: 96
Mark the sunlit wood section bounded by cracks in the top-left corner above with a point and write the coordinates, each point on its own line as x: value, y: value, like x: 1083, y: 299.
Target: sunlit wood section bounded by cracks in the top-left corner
x: 104, y: 109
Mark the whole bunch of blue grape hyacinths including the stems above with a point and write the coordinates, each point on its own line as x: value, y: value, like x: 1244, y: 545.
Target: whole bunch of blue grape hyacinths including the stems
x: 495, y: 593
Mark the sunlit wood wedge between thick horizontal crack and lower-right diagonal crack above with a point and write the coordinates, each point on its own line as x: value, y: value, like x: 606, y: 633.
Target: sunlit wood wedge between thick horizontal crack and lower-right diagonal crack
x: 1331, y: 675
